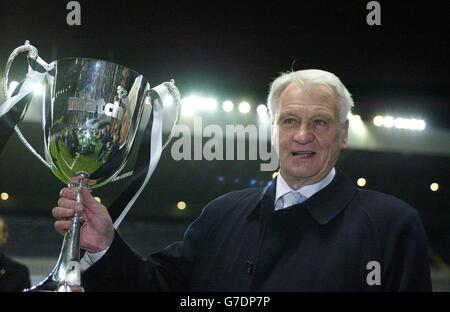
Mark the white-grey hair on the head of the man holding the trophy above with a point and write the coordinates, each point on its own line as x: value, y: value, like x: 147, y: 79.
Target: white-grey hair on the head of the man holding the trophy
x: 311, y: 77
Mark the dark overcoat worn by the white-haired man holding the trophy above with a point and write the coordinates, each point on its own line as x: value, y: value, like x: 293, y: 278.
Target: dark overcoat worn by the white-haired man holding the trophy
x: 239, y: 243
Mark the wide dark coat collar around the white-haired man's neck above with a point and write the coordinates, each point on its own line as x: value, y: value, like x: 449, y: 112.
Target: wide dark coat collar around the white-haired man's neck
x: 322, y: 206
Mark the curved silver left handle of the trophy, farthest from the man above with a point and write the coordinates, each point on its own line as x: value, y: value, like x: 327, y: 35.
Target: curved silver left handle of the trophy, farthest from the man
x: 33, y: 54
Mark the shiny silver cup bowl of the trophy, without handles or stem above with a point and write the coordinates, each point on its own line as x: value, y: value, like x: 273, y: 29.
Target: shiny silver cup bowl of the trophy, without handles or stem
x: 92, y: 118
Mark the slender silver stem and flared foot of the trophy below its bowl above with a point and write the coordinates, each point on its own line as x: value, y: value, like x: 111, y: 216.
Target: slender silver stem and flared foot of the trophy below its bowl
x: 66, y: 275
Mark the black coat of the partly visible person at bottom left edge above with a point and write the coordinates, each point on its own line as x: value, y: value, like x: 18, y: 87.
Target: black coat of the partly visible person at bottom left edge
x: 13, y: 275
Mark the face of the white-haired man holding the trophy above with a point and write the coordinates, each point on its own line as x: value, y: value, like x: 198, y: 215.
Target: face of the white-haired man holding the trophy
x: 310, y: 136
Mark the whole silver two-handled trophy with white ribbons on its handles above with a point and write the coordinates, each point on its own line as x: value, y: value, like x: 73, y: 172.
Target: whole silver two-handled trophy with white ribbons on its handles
x: 91, y: 112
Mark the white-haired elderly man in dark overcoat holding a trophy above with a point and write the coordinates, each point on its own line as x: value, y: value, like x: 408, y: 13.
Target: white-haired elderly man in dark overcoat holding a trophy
x: 311, y: 230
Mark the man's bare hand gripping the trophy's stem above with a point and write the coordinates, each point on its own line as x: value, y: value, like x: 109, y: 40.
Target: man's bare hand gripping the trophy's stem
x: 97, y: 232
